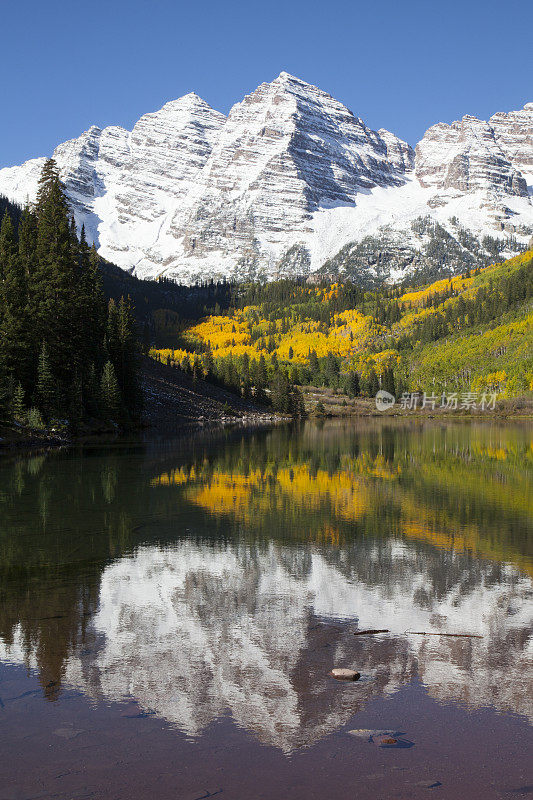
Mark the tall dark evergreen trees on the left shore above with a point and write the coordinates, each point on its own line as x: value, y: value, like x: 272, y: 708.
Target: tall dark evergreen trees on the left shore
x: 65, y: 354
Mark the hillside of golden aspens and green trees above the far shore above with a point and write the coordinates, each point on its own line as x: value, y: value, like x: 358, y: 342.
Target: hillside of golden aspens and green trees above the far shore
x: 473, y: 332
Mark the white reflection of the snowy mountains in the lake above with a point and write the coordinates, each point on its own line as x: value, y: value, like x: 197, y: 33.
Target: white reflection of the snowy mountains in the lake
x: 192, y: 632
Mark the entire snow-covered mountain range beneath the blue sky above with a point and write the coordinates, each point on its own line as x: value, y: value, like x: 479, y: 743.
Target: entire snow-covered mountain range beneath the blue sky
x: 283, y: 183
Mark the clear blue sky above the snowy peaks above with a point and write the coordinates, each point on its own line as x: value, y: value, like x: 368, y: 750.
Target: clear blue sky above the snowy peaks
x: 398, y: 64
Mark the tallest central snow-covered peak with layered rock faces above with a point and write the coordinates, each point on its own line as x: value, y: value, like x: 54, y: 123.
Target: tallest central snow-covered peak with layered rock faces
x: 285, y: 151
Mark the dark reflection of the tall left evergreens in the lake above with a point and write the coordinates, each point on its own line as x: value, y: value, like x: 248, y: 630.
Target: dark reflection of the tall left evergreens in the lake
x: 61, y: 525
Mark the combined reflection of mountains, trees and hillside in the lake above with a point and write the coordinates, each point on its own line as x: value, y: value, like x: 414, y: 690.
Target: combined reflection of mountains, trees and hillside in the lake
x: 225, y: 577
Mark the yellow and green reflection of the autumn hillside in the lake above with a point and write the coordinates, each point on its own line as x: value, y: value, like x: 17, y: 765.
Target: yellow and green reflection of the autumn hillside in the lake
x: 438, y: 501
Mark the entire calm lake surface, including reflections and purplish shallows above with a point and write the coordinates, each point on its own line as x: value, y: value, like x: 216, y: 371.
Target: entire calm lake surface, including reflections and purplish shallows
x: 170, y: 610
